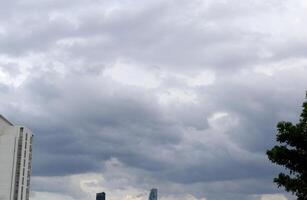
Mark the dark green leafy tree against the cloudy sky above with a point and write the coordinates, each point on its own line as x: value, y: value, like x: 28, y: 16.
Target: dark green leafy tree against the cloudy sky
x: 292, y: 154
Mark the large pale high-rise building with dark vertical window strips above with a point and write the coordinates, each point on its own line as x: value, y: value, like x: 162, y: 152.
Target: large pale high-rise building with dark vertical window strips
x: 15, y: 161
